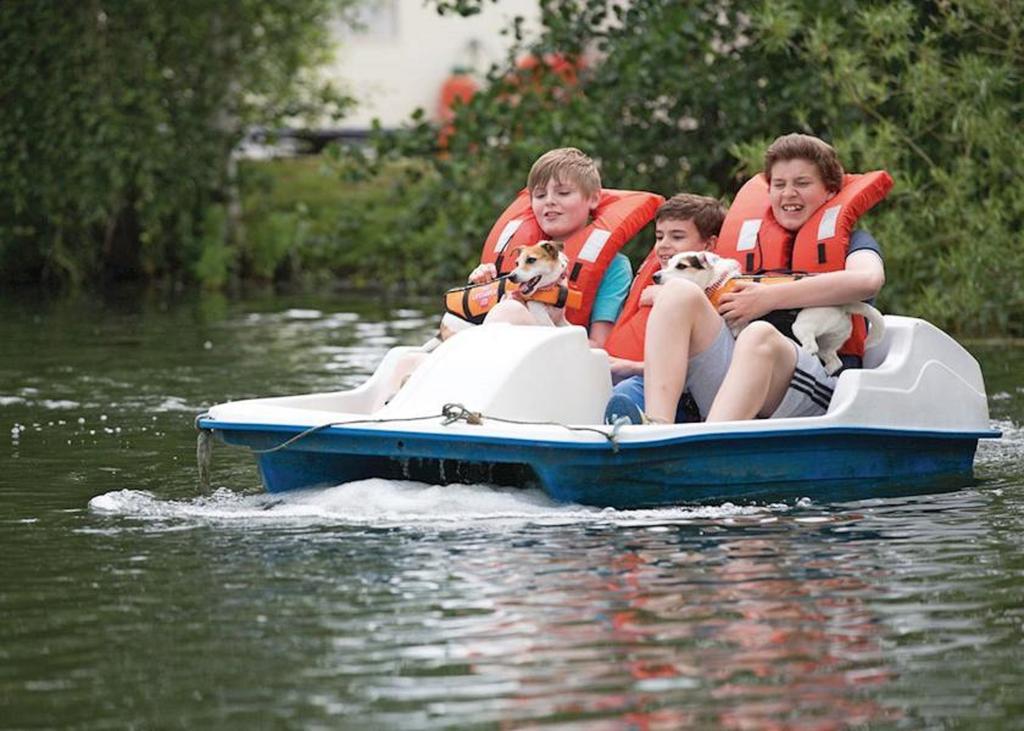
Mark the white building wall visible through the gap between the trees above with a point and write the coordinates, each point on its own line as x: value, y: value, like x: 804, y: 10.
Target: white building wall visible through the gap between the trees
x: 407, y: 52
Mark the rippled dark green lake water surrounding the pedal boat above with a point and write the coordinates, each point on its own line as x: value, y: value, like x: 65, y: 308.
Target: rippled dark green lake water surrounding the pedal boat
x: 129, y: 599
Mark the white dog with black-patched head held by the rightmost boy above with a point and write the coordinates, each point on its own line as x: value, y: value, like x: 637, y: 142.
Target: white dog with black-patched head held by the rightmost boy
x: 821, y: 331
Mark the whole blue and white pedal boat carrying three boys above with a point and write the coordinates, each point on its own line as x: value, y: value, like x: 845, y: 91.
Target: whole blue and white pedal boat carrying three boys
x: 524, y: 406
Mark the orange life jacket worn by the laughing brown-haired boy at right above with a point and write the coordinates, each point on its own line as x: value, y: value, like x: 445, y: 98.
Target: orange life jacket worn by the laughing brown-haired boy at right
x: 753, y: 237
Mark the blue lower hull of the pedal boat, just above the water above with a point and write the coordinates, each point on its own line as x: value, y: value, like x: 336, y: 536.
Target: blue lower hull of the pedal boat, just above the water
x: 828, y: 464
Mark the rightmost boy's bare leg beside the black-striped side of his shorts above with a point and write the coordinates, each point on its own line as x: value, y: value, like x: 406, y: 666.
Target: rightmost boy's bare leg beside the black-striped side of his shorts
x: 758, y: 377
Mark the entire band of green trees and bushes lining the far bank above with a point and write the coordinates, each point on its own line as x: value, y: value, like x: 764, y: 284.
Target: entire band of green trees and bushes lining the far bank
x: 119, y: 119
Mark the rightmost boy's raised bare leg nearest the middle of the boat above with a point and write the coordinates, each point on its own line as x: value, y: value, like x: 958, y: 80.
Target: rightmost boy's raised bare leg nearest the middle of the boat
x: 682, y: 324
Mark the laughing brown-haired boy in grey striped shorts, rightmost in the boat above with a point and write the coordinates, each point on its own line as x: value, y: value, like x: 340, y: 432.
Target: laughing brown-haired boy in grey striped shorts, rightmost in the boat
x: 762, y: 373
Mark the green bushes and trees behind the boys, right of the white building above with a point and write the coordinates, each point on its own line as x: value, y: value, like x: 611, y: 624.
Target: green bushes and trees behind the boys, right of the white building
x: 673, y: 97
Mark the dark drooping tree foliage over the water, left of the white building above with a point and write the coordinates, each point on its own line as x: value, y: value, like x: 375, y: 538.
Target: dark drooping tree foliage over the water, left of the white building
x: 118, y: 123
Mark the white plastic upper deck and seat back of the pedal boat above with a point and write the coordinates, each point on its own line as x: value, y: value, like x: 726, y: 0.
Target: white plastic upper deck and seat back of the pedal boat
x: 917, y: 379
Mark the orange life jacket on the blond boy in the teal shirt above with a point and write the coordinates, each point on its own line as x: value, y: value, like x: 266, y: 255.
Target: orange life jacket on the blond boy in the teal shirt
x: 620, y: 217
